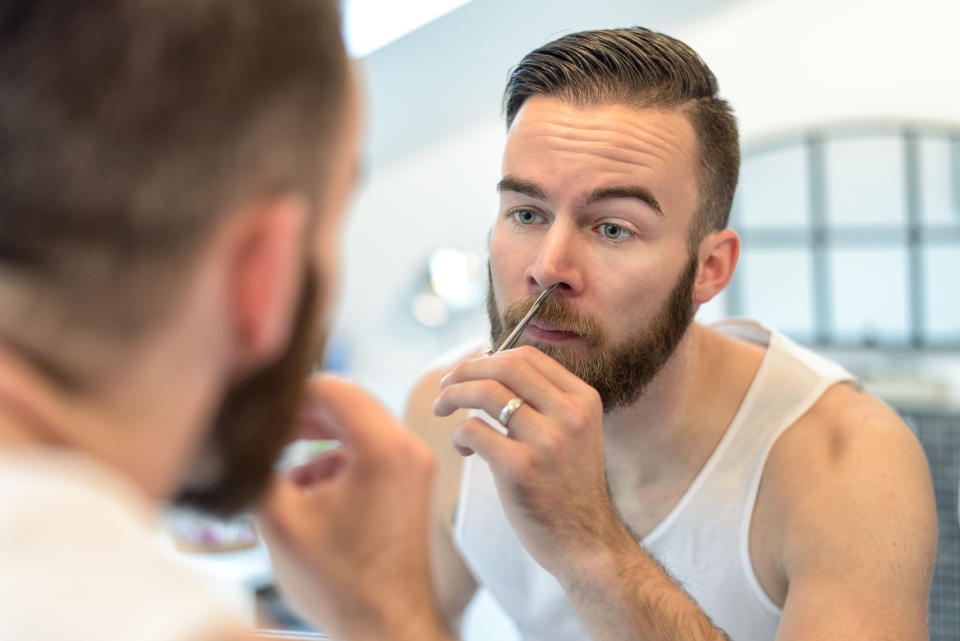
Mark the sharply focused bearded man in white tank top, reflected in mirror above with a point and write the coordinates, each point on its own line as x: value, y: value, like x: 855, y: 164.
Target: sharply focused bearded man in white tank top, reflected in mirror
x: 648, y: 477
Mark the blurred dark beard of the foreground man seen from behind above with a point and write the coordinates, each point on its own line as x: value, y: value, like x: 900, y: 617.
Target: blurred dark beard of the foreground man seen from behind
x: 254, y: 423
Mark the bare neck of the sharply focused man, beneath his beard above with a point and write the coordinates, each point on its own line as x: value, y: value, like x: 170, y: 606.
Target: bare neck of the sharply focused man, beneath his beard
x: 671, y: 430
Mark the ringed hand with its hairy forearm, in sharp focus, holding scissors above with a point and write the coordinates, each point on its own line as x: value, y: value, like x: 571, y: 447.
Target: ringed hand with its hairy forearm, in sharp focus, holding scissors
x: 550, y: 475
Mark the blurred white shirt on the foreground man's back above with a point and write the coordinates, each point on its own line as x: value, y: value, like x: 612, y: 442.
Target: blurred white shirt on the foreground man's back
x: 79, y: 559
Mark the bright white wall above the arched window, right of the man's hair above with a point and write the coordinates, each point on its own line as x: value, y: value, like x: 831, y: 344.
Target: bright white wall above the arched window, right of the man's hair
x: 789, y: 64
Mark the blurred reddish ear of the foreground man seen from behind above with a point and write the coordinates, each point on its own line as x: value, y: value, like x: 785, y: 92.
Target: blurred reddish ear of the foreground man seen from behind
x: 266, y: 269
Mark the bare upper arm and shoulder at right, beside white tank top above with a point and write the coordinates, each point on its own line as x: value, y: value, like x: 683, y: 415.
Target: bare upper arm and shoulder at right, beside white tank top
x: 848, y: 500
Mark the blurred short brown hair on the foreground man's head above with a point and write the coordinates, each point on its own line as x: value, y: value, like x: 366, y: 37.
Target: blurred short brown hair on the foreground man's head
x: 127, y: 129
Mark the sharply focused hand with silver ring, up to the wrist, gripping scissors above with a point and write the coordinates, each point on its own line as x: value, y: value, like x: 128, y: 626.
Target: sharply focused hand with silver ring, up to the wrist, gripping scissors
x: 549, y: 469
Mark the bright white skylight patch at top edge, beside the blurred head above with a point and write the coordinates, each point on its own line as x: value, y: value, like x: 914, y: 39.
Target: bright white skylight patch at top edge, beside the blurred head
x: 370, y: 24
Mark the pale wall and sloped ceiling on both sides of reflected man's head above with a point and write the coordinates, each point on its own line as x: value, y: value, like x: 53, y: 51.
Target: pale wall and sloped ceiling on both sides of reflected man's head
x: 436, y: 136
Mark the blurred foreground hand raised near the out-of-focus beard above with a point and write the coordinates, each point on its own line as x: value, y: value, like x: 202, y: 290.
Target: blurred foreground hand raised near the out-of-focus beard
x: 348, y: 532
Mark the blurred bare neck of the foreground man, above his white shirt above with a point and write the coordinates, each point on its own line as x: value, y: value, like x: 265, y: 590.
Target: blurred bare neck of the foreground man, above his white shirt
x: 123, y: 421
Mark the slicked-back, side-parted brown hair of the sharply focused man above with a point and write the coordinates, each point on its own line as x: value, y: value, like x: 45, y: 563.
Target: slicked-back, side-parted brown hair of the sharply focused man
x: 641, y: 68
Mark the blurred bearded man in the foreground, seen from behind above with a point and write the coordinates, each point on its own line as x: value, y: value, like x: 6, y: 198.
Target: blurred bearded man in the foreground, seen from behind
x: 172, y: 179
